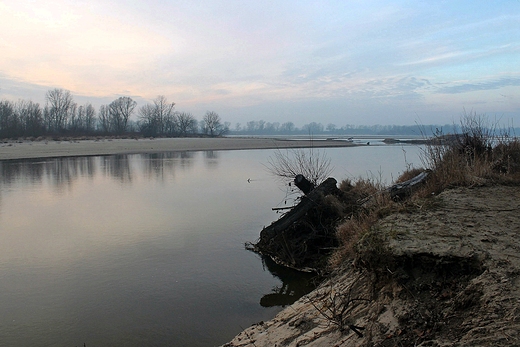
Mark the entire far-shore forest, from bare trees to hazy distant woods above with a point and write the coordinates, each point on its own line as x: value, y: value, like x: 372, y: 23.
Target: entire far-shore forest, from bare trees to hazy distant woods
x: 62, y: 116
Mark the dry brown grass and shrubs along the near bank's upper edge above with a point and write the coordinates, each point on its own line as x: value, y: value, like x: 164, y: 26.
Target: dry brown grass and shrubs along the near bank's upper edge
x: 478, y: 156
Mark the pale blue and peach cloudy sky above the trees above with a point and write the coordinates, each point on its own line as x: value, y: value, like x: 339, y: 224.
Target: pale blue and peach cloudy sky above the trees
x: 341, y: 62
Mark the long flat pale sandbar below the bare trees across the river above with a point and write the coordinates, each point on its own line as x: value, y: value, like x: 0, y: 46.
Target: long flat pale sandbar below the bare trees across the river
x: 48, y: 149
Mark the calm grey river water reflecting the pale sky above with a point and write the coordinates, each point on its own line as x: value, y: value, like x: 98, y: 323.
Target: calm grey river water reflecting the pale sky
x: 148, y: 250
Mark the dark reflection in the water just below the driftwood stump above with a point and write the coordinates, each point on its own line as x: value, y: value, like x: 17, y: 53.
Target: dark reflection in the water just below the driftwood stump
x: 295, y: 284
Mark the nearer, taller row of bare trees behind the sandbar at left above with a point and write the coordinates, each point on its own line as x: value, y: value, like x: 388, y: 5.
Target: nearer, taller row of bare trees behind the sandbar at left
x: 61, y: 115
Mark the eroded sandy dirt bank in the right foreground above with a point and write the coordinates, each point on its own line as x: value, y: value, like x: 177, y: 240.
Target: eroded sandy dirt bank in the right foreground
x: 446, y: 273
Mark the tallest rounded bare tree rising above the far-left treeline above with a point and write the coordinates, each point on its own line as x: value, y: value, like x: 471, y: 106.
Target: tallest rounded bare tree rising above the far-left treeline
x: 58, y: 108
